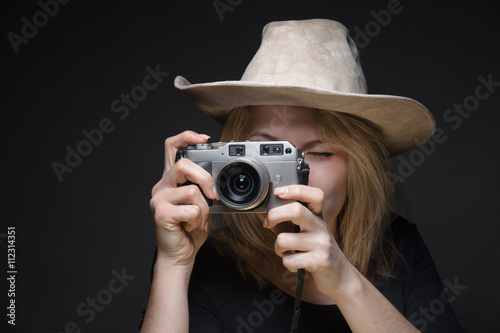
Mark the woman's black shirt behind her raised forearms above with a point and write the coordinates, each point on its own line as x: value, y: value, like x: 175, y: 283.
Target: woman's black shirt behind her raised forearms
x: 220, y: 300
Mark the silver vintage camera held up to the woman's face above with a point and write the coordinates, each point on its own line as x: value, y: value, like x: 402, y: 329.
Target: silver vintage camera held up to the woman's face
x: 246, y: 173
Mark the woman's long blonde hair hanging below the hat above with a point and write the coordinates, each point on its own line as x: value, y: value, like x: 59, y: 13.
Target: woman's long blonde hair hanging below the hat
x: 363, y: 229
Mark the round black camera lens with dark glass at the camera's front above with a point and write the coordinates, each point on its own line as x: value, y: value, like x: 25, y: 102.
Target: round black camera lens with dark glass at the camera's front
x: 243, y: 184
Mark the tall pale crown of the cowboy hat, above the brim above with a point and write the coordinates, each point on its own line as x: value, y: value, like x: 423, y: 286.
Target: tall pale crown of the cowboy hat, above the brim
x: 317, y: 54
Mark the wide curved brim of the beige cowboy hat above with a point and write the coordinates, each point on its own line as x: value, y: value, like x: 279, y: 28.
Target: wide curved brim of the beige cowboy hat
x: 404, y: 122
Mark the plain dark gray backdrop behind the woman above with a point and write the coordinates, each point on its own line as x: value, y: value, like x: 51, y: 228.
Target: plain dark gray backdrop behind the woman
x: 72, y: 234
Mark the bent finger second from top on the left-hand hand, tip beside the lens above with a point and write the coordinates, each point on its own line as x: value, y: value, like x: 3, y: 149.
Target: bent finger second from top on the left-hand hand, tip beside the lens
x: 186, y: 170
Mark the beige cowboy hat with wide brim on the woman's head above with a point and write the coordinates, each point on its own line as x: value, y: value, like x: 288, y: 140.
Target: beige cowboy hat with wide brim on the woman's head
x: 314, y: 63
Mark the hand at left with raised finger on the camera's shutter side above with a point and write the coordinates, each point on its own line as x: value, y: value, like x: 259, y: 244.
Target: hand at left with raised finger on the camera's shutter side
x: 181, y: 213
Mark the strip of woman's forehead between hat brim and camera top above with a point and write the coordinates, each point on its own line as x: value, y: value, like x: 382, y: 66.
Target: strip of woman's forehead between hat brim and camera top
x: 281, y: 121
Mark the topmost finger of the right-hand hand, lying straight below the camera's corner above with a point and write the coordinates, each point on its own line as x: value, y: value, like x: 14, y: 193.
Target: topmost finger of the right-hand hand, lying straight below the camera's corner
x: 313, y: 197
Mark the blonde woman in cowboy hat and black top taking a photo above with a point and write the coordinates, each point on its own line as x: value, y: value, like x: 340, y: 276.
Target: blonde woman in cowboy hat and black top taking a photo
x: 366, y: 271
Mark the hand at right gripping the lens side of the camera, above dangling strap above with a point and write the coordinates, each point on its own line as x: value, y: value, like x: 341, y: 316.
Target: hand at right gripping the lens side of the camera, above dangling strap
x: 314, y: 248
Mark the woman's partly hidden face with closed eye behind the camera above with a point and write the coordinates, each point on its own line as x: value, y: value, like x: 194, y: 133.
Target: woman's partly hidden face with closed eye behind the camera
x: 328, y: 165
